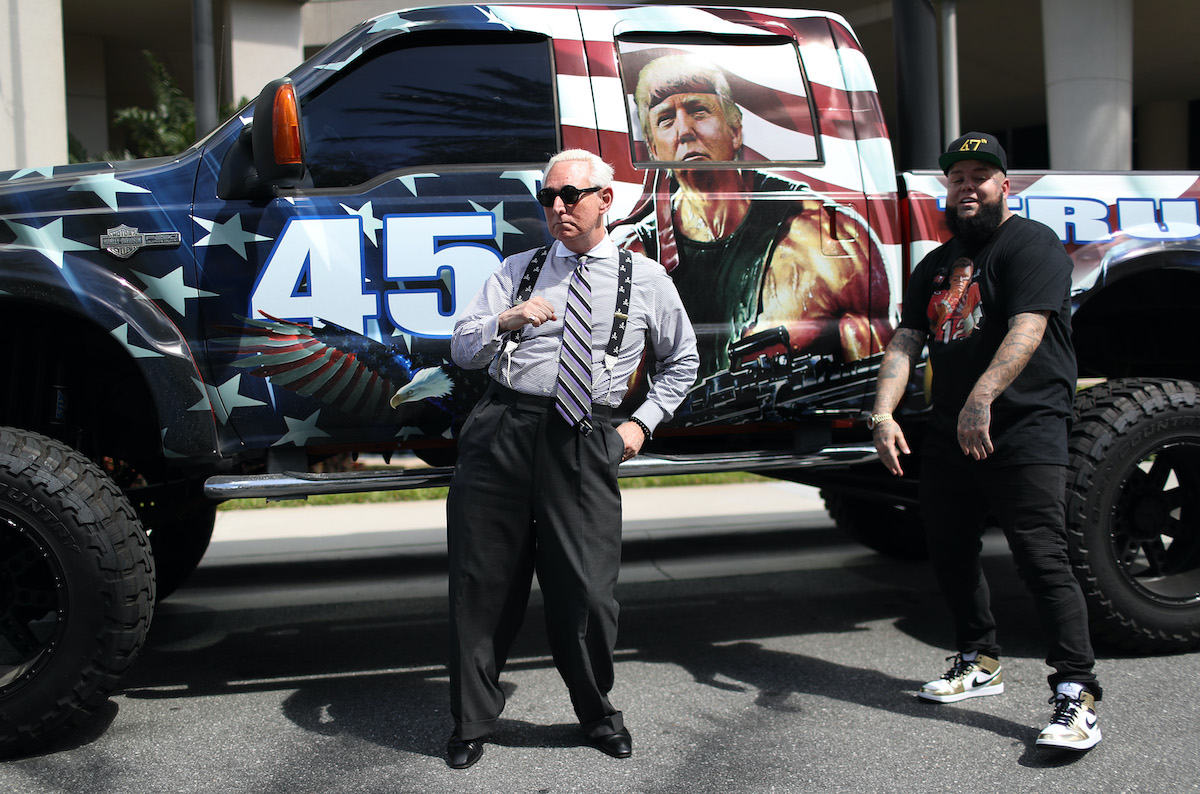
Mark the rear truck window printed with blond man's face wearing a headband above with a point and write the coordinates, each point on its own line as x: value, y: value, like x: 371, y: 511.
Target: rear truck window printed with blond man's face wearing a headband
x: 745, y: 100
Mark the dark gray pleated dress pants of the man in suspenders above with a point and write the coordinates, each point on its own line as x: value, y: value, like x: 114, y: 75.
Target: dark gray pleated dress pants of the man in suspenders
x: 532, y: 496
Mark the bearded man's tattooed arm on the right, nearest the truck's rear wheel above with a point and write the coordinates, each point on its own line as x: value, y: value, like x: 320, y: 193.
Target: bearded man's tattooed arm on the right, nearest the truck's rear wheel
x: 1024, y: 336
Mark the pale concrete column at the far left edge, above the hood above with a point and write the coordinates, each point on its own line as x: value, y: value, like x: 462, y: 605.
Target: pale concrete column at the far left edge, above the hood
x: 33, y: 85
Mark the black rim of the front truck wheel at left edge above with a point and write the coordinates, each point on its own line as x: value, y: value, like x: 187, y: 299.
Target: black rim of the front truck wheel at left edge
x: 33, y: 604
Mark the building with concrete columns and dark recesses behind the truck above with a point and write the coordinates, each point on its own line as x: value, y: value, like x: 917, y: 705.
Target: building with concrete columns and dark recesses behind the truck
x: 1071, y: 85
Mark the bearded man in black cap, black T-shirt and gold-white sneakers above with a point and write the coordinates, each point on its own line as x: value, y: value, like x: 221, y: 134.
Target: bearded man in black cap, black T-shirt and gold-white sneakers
x: 997, y: 443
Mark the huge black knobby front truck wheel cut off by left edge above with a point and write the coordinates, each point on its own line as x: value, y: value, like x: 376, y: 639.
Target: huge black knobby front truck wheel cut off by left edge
x: 76, y: 588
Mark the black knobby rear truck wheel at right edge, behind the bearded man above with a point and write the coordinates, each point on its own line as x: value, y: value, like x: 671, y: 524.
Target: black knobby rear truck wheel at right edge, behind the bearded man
x: 1133, y: 512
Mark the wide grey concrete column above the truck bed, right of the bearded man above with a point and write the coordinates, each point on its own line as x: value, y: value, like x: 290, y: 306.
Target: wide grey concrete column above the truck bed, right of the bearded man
x: 1088, y: 46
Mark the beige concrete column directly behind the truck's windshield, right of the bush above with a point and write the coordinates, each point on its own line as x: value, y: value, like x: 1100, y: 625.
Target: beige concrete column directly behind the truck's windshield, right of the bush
x: 266, y: 44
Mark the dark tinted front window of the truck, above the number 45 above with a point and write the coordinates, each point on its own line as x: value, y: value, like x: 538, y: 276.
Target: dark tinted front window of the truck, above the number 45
x: 429, y: 100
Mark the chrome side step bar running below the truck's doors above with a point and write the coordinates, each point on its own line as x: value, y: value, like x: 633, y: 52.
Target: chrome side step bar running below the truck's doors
x: 297, y: 485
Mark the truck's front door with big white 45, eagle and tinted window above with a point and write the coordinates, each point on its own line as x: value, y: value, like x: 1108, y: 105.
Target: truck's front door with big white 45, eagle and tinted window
x: 424, y: 145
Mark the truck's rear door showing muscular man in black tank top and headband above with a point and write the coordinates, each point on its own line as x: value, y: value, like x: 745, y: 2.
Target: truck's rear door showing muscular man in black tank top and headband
x: 752, y: 196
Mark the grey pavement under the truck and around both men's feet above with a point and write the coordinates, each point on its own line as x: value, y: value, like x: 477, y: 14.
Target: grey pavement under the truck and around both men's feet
x: 759, y: 652
